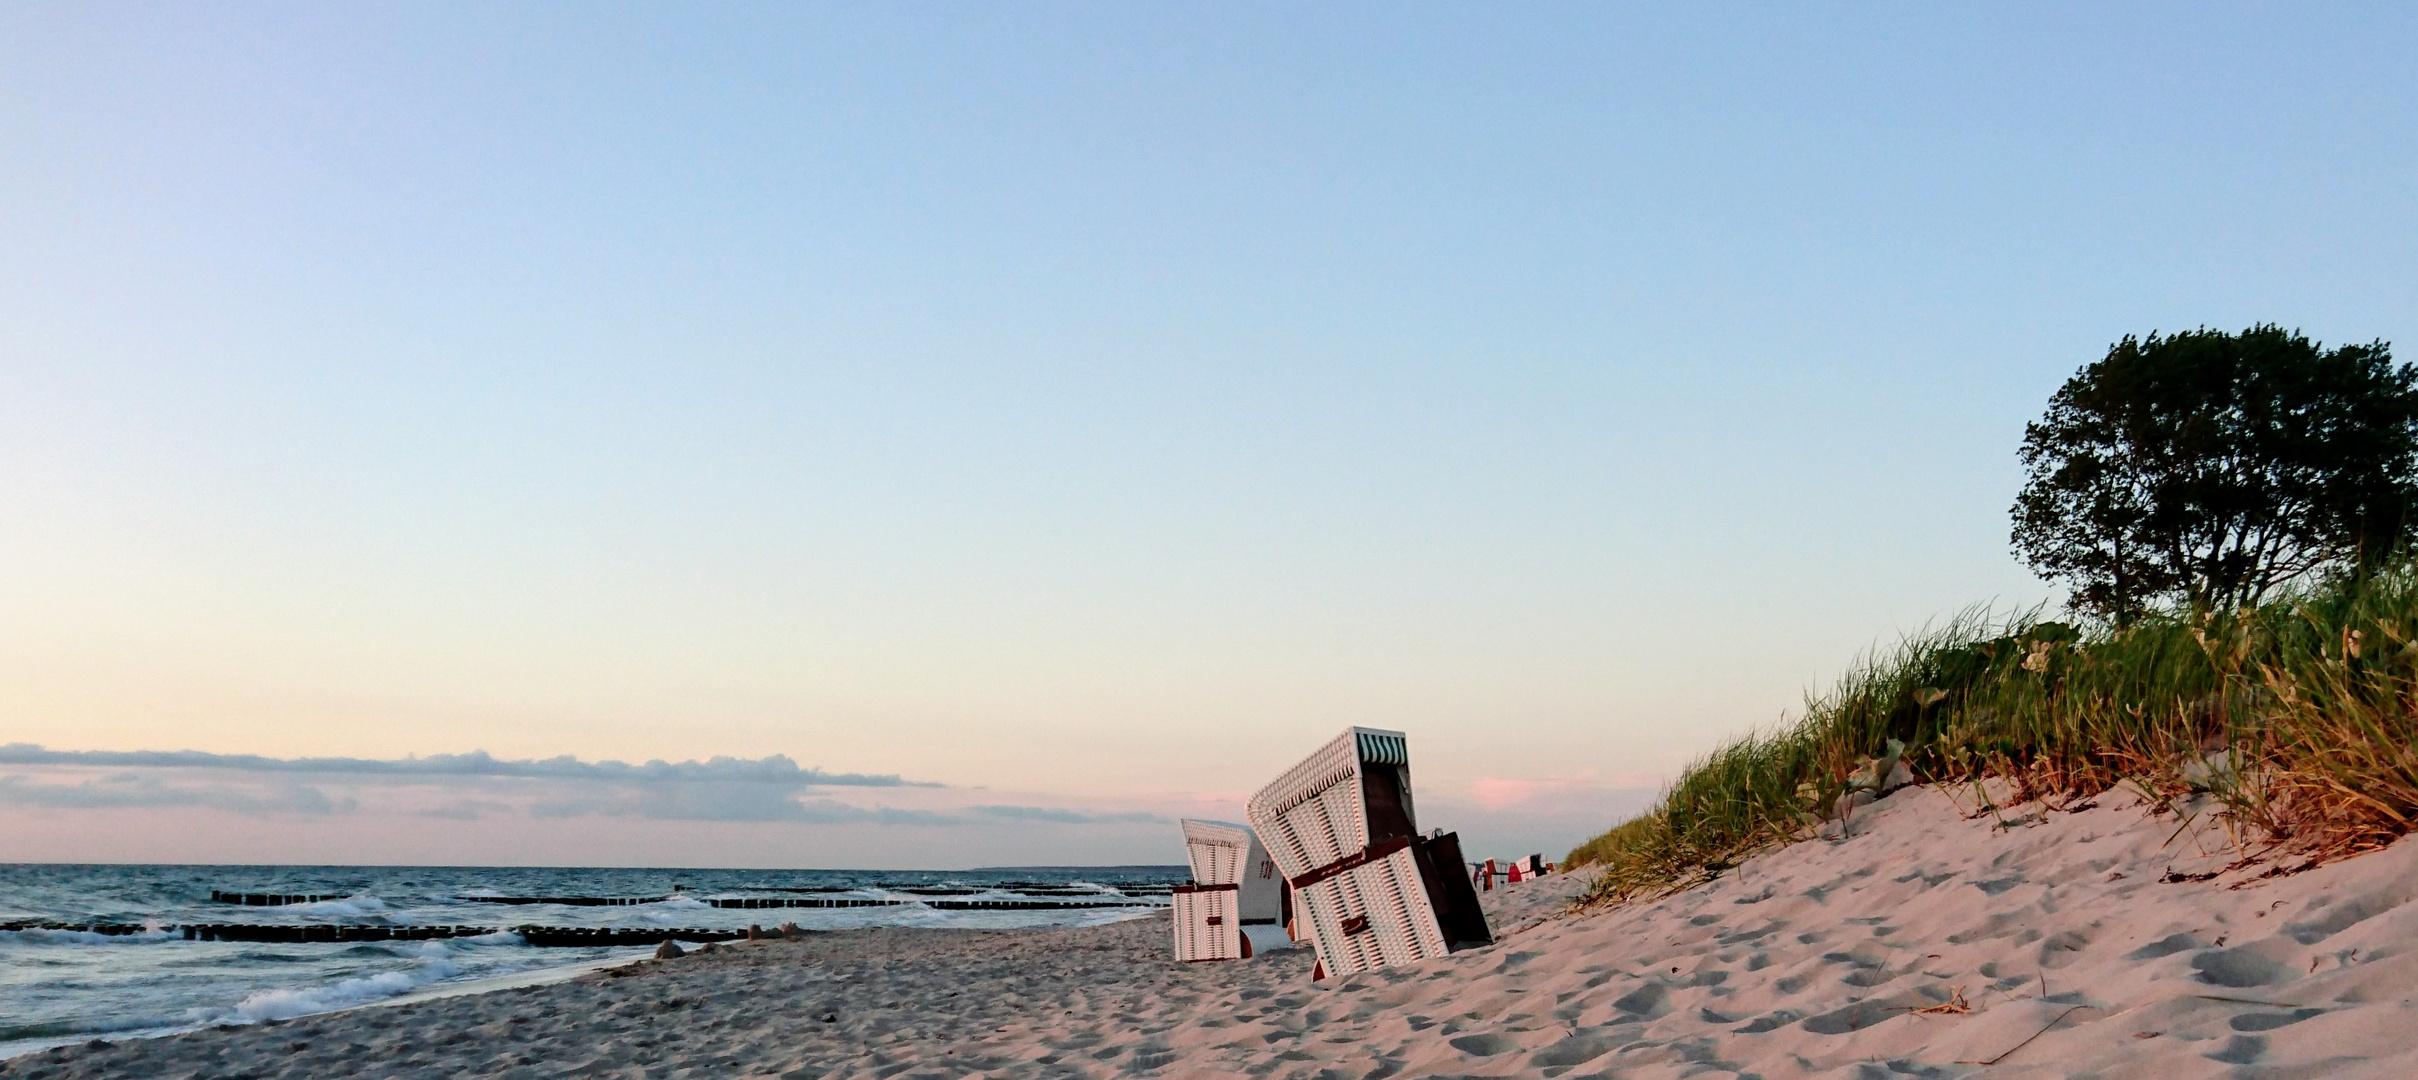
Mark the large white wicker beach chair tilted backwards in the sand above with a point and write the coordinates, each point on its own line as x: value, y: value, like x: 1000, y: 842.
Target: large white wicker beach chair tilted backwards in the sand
x: 1372, y: 890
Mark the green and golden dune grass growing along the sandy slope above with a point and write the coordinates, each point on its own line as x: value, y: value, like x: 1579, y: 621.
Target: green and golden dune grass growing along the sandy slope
x: 2296, y: 719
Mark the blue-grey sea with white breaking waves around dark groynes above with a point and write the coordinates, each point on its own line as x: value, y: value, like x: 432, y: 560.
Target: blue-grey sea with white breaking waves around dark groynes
x: 103, y: 951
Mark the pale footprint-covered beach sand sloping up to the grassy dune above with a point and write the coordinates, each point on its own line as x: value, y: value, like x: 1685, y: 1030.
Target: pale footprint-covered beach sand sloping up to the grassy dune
x: 2078, y: 963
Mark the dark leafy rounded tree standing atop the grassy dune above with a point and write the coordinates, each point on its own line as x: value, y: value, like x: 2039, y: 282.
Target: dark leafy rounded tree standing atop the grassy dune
x: 2214, y: 468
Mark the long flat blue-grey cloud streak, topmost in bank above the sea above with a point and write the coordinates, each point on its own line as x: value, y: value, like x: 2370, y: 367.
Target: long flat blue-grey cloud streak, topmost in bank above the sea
x: 773, y: 770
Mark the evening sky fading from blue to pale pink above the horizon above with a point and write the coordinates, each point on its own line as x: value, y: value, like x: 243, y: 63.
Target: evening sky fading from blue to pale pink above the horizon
x: 985, y: 434
